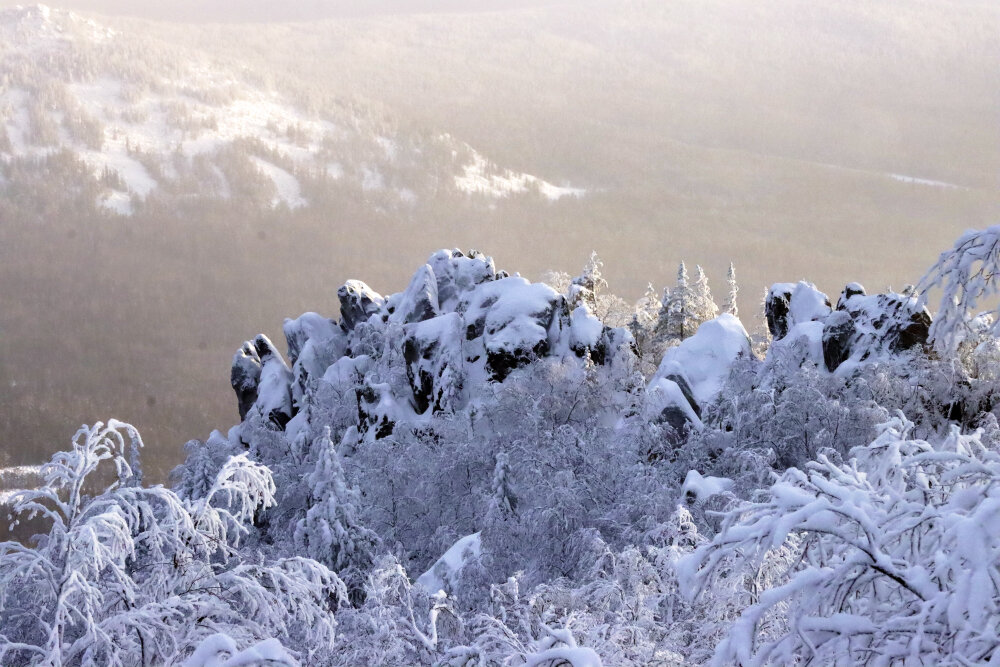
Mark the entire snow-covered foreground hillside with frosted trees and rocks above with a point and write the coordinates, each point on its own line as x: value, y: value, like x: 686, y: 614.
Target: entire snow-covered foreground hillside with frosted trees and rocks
x: 483, y: 470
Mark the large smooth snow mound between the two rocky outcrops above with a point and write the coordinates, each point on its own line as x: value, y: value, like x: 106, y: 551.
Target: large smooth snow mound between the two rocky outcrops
x: 704, y: 359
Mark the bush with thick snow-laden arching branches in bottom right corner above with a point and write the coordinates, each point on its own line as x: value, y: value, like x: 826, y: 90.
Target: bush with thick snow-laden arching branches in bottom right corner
x: 895, y: 558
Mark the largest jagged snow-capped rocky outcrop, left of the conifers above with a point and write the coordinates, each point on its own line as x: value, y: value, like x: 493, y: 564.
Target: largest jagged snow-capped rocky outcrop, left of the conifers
x: 459, y: 323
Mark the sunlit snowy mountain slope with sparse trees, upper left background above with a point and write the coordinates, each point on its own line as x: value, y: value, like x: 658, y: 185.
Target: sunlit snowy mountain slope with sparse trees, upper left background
x: 149, y: 119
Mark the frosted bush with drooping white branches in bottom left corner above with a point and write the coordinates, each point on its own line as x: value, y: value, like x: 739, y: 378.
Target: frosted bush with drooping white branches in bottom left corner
x: 138, y: 576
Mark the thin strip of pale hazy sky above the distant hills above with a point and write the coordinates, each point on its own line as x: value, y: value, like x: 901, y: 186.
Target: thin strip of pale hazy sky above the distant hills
x: 270, y: 10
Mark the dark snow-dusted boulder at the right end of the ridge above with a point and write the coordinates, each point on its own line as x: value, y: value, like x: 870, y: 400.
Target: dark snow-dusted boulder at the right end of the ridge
x: 866, y: 326
